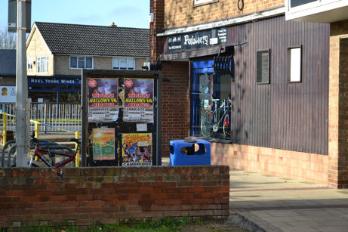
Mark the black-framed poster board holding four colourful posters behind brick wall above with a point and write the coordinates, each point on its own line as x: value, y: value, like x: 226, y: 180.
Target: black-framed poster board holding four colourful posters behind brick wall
x: 119, y: 116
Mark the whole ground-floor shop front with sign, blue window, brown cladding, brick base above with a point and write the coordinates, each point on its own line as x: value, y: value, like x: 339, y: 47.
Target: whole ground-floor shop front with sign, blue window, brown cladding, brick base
x: 257, y: 90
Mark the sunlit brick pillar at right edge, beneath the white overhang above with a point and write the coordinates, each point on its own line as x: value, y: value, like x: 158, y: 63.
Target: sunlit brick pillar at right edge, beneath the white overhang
x: 338, y: 106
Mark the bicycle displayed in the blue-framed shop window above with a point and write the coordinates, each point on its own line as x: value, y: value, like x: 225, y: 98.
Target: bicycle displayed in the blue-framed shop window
x: 216, y: 118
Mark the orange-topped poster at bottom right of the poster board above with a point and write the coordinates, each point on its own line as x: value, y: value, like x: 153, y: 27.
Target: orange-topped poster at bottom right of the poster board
x: 137, y: 149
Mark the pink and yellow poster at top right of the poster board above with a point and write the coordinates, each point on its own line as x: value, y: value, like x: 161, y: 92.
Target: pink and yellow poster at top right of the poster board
x: 138, y: 100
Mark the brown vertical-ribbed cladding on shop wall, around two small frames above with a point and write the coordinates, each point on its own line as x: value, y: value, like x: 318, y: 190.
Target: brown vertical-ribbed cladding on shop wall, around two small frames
x: 292, y: 116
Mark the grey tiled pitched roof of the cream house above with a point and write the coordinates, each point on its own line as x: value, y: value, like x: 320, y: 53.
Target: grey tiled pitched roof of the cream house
x: 73, y: 39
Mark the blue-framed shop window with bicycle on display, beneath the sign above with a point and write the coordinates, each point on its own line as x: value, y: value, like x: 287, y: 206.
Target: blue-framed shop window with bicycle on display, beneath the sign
x: 211, y: 104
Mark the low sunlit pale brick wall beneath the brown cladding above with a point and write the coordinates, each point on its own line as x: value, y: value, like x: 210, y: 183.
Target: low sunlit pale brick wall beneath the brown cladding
x: 269, y: 161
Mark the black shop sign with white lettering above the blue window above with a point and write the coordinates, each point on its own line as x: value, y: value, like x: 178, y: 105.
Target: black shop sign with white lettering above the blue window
x: 197, y: 40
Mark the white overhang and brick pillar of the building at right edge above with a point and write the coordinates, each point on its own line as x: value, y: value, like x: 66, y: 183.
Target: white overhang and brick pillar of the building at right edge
x: 334, y: 12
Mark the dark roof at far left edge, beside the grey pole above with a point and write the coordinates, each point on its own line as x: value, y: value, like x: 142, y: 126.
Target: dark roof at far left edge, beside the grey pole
x: 8, y: 62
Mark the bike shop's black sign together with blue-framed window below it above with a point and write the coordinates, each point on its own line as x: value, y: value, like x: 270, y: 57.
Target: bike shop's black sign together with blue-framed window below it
x: 211, y: 76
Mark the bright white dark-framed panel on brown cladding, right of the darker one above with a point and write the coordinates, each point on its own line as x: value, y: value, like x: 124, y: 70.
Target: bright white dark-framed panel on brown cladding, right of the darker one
x: 295, y: 60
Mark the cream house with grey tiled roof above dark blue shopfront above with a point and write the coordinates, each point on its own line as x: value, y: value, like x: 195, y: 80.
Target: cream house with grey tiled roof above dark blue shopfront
x: 56, y: 54
